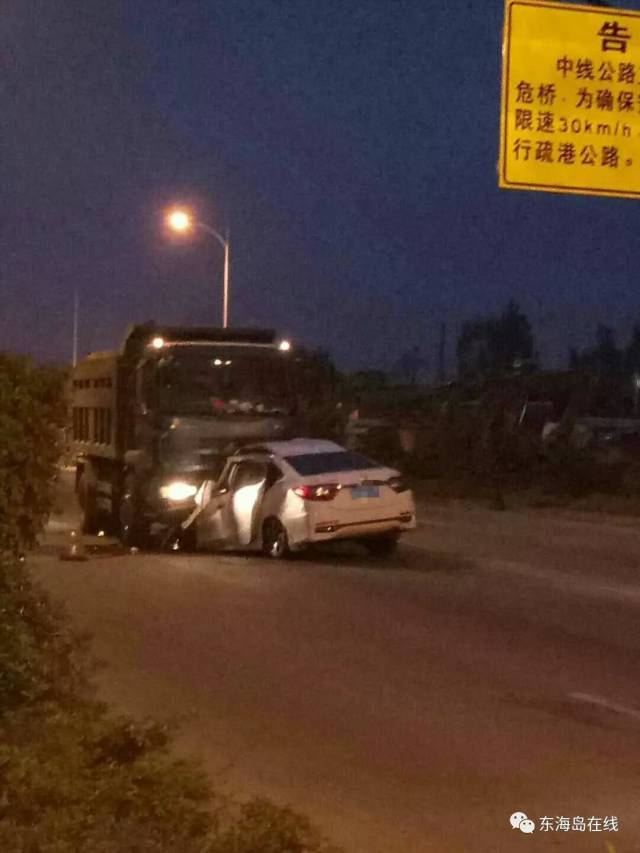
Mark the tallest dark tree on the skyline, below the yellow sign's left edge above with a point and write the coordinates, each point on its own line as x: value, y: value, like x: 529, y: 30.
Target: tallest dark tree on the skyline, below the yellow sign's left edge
x: 495, y: 345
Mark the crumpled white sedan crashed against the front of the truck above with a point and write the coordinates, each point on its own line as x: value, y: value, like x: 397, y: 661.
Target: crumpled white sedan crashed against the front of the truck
x: 280, y: 496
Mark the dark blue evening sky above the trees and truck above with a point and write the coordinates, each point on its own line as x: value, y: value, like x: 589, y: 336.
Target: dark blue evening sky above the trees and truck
x: 351, y: 148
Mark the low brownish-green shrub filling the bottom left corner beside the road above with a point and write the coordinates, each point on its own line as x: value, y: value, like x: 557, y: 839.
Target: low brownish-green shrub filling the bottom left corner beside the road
x: 64, y: 790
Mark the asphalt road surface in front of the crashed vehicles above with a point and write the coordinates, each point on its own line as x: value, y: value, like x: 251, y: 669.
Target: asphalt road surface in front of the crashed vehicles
x: 493, y: 666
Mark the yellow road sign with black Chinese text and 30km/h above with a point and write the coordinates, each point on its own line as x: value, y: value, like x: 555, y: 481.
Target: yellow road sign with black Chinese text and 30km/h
x: 570, y: 119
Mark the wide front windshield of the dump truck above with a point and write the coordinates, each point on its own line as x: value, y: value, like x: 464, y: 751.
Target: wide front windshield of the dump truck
x: 224, y: 381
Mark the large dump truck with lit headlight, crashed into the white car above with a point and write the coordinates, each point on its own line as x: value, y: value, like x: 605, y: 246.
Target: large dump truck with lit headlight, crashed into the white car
x: 154, y: 420
